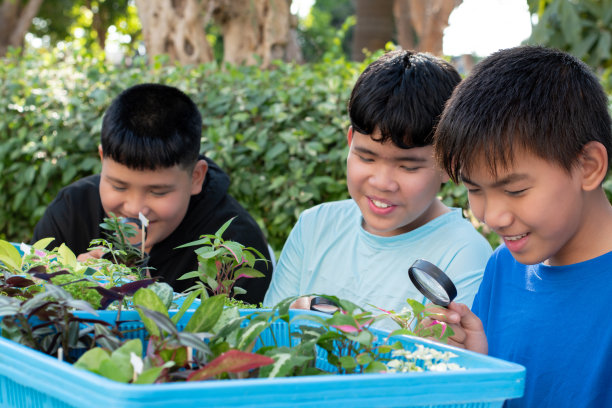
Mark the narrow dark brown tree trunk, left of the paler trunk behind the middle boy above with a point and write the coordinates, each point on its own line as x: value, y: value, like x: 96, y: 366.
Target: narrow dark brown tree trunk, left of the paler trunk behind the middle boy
x: 374, y: 27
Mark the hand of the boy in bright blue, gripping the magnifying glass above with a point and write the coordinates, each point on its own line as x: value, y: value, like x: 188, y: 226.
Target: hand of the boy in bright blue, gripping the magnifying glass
x: 467, y: 327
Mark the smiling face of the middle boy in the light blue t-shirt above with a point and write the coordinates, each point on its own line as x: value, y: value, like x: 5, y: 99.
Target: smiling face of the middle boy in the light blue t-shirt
x: 394, y: 188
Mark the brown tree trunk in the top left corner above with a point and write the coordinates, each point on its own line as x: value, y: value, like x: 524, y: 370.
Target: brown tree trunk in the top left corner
x: 15, y: 20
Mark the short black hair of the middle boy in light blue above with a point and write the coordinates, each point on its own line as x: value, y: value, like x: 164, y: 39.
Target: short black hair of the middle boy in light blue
x: 402, y: 94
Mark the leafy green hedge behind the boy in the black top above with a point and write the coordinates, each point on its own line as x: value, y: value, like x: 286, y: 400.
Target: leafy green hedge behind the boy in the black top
x: 280, y: 134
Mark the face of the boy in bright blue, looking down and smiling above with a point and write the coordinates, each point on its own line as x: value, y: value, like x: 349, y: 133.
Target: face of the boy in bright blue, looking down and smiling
x: 535, y: 206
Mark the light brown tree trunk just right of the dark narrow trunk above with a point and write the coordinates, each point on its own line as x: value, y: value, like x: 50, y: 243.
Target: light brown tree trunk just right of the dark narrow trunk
x: 428, y: 20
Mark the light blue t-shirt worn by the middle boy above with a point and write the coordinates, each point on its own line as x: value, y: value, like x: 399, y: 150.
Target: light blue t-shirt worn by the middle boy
x: 329, y: 252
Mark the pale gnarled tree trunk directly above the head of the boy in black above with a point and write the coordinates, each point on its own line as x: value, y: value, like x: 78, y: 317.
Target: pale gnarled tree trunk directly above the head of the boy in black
x: 175, y: 28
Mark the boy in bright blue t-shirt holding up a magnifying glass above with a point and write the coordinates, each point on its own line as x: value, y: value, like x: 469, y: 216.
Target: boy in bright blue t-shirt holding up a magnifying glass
x: 529, y: 134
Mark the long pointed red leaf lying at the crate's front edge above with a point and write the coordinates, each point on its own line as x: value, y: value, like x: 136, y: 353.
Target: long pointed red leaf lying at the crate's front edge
x: 233, y: 361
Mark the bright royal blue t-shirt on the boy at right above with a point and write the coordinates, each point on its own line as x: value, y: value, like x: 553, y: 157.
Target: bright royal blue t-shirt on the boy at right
x: 554, y: 320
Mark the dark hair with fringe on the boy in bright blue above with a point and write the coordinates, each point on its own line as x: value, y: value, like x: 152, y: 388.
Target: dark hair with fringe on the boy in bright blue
x: 529, y: 97
